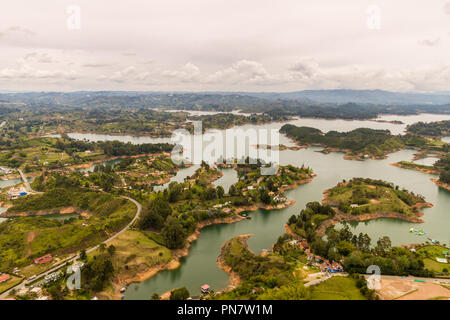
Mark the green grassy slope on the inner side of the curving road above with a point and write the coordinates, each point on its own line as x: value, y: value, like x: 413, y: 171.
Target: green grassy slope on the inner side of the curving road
x: 27, y: 238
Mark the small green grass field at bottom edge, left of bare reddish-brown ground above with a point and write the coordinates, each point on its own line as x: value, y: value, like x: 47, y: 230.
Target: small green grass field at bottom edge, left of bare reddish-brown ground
x: 337, y: 288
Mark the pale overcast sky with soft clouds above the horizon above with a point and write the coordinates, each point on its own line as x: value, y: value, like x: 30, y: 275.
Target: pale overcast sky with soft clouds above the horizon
x: 229, y: 45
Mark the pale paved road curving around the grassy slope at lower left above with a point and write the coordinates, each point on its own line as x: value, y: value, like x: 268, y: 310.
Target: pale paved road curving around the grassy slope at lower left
x: 73, y: 258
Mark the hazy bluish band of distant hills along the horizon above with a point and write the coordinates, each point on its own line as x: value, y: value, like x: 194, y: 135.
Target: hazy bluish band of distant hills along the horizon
x: 225, y: 100
